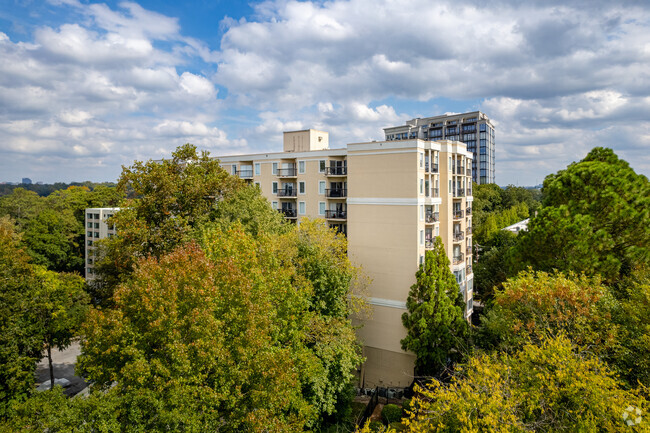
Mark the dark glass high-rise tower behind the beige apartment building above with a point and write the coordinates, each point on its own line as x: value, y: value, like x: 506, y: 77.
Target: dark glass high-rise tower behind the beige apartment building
x: 474, y: 129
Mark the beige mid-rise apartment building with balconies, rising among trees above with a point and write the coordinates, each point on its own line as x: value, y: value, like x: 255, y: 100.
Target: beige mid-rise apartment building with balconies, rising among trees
x: 391, y: 198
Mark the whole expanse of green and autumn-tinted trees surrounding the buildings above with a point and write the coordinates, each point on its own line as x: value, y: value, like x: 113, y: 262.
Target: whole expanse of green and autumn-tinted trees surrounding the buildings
x: 211, y: 313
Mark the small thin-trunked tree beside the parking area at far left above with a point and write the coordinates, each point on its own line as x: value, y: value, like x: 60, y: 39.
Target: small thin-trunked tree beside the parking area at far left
x: 61, y: 303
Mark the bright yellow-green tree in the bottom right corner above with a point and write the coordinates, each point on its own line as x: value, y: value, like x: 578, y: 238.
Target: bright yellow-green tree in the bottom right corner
x: 549, y: 387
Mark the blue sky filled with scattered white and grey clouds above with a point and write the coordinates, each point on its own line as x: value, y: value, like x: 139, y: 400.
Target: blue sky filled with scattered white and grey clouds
x: 87, y: 87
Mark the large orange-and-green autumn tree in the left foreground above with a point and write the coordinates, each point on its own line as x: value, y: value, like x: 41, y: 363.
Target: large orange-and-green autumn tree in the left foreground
x: 224, y: 335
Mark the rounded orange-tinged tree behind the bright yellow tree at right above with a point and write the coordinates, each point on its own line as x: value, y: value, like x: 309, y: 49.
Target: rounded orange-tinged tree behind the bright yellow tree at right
x: 537, y: 304
